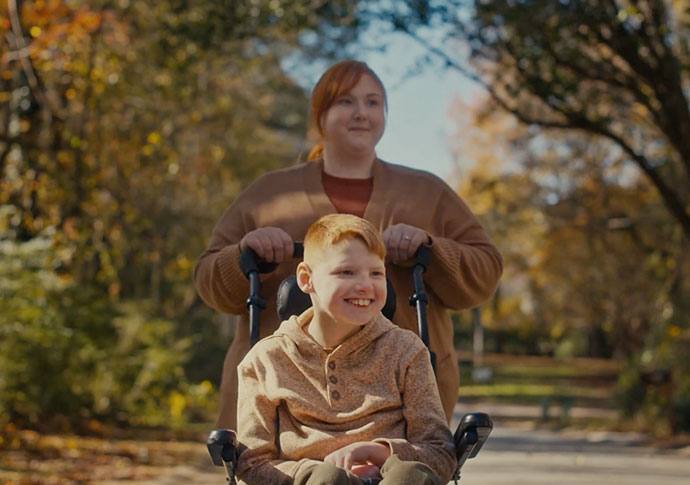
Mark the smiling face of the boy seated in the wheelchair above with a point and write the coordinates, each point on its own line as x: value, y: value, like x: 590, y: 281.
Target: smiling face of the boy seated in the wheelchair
x: 347, y: 283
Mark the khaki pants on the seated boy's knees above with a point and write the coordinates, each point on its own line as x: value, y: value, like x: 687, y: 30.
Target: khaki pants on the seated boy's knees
x: 394, y: 472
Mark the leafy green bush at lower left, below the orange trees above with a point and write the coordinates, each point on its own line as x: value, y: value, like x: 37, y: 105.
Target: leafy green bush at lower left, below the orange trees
x: 70, y: 352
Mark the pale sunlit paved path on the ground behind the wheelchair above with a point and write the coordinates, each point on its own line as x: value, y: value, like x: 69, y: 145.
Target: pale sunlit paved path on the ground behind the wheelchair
x: 527, y: 456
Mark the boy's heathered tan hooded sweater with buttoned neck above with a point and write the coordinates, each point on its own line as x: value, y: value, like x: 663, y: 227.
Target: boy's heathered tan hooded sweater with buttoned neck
x: 298, y: 403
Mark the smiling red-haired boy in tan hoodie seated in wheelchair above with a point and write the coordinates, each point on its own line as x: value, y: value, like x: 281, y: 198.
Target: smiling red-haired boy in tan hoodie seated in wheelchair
x: 340, y: 394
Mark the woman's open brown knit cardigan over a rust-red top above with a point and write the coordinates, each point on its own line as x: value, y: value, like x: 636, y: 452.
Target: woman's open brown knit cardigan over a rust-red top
x: 464, y: 272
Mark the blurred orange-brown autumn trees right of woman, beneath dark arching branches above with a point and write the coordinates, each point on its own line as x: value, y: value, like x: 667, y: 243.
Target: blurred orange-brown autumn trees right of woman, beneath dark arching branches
x: 591, y: 255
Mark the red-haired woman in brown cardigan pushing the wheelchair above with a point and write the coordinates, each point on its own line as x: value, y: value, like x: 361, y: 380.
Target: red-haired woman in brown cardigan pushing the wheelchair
x: 343, y: 174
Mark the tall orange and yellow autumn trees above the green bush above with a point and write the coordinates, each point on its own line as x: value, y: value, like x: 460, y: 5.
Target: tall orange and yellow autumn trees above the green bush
x: 102, y: 102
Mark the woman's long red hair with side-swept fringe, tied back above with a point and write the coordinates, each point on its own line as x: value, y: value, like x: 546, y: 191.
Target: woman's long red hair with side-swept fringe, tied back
x: 338, y: 79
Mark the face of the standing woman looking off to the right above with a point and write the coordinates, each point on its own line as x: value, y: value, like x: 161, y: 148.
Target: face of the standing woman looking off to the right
x: 355, y: 121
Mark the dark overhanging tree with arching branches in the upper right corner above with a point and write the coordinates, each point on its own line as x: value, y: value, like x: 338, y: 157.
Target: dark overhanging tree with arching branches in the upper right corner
x: 617, y: 69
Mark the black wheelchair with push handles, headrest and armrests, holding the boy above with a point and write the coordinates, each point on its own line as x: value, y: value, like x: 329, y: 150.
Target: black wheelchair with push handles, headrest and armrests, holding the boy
x: 473, y: 429
